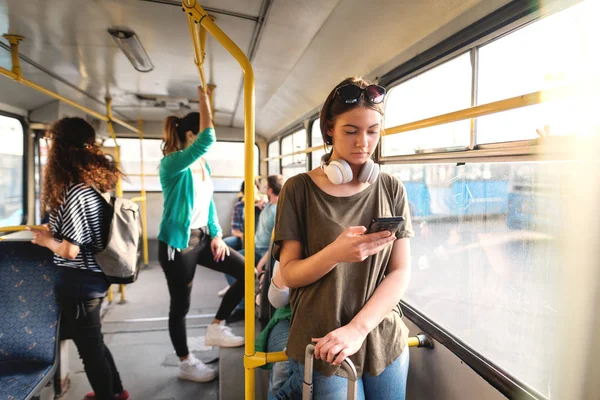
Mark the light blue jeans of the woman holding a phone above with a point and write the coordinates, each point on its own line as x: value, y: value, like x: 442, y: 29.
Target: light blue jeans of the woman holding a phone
x: 389, y: 385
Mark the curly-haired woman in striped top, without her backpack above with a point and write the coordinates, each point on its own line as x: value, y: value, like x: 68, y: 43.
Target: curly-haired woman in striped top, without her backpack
x: 75, y: 166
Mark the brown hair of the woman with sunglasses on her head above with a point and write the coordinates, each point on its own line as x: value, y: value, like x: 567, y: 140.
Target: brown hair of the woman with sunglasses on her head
x: 332, y: 107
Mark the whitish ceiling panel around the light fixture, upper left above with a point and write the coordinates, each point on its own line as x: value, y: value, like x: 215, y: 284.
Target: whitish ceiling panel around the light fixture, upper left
x: 71, y: 41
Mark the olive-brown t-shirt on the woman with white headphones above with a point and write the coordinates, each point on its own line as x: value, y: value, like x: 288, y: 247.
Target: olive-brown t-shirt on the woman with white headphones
x: 314, y: 218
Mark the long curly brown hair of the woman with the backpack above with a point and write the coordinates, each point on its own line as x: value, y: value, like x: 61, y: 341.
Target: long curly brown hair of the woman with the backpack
x: 74, y: 158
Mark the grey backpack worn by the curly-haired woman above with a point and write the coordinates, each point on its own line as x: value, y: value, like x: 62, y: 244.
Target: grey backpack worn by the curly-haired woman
x: 119, y: 260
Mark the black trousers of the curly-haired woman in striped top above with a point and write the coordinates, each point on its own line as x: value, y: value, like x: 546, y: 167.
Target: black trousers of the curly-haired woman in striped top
x: 80, y: 321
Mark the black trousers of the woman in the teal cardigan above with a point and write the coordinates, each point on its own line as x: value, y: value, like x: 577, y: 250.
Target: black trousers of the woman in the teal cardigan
x: 180, y: 276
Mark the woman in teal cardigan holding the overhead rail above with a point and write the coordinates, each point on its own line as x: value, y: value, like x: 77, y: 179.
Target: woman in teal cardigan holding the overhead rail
x: 190, y: 234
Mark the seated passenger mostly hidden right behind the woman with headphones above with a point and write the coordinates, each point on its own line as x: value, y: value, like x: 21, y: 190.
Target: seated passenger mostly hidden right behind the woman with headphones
x: 274, y: 337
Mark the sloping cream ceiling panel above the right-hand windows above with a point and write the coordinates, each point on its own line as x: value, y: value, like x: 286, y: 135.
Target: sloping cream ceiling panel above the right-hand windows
x: 356, y: 39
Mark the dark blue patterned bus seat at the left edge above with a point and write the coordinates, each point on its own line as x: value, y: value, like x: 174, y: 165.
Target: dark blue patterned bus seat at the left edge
x: 29, y: 320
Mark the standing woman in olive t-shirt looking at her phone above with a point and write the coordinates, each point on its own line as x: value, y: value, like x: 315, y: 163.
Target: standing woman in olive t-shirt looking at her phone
x: 345, y: 284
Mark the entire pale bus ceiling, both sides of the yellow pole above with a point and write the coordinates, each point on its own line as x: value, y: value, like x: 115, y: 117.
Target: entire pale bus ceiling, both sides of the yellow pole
x: 304, y: 48
